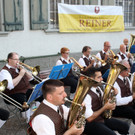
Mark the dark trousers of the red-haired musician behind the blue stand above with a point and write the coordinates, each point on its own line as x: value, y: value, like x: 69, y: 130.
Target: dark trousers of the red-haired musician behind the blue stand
x: 71, y: 81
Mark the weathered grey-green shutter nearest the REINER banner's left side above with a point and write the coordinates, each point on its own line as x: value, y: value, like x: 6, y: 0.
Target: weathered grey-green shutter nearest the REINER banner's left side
x: 38, y: 14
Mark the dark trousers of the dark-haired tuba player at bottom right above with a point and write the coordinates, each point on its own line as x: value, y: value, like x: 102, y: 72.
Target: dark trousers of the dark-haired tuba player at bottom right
x: 106, y: 128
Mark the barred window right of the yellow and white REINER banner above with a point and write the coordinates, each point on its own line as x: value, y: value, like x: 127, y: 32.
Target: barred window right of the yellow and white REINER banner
x: 129, y: 11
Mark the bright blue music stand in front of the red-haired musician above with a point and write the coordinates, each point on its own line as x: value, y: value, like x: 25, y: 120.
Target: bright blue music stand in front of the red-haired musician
x: 60, y: 71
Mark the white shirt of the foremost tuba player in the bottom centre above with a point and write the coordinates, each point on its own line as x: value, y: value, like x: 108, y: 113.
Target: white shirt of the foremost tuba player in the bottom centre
x: 43, y: 125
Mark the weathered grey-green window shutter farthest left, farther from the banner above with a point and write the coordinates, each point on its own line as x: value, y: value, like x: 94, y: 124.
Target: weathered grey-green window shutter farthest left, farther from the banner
x: 13, y: 15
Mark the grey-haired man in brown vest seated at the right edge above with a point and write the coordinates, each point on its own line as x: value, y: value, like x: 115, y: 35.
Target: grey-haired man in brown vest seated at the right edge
x: 125, y: 106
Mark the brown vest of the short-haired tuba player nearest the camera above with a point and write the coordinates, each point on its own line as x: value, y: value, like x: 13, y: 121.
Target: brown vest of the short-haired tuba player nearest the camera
x: 53, y: 115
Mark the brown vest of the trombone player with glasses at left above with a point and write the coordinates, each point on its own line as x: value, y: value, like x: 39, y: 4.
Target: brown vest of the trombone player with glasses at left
x: 21, y: 87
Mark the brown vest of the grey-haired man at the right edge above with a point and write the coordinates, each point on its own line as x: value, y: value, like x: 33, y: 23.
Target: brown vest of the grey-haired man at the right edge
x: 125, y: 88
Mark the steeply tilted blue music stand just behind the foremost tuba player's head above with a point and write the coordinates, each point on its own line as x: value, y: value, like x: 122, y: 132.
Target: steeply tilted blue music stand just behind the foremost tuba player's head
x: 36, y: 93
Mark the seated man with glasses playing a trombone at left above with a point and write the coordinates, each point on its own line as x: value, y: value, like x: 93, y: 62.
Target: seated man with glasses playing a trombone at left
x: 18, y: 81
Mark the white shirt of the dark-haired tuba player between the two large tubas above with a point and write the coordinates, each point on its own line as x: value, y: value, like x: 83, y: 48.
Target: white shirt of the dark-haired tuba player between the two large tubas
x: 88, y: 102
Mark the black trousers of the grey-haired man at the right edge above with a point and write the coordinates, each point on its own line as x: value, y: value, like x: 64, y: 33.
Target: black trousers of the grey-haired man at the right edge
x: 125, y: 112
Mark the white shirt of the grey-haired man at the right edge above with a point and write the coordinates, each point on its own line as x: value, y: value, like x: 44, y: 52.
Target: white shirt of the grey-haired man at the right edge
x: 122, y: 100
